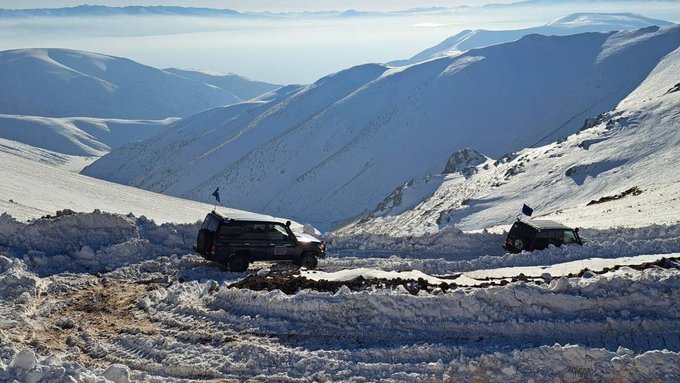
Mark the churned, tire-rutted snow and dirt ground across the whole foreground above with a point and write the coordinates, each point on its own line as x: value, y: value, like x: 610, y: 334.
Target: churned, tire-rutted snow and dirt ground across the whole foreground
x: 101, y: 297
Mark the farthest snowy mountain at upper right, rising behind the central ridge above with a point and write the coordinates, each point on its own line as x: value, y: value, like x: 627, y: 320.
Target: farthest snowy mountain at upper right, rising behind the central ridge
x: 568, y: 25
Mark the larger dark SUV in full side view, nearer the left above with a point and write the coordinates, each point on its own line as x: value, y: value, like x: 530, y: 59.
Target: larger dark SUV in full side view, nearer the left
x: 238, y: 242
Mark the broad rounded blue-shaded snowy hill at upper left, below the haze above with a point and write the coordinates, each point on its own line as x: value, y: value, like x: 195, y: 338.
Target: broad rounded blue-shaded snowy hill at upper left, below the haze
x: 64, y: 83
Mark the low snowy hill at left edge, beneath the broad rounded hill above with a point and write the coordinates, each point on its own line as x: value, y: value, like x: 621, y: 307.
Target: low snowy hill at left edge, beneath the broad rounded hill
x: 77, y: 136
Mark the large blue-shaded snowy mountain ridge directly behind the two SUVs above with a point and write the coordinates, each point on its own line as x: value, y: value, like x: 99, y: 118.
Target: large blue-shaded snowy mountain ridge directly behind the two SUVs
x: 332, y: 150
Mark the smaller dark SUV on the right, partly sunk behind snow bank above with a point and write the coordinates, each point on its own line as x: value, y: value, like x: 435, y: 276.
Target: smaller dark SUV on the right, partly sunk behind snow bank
x: 538, y: 234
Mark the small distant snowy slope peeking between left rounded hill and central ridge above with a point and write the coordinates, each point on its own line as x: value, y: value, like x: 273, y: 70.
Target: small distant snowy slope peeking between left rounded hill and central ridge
x: 241, y: 87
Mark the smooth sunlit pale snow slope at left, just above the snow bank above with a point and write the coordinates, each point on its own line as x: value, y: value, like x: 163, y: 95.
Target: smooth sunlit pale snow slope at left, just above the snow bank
x: 32, y: 186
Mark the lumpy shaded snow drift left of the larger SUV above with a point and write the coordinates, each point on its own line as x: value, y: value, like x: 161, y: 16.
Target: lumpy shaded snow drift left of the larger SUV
x: 91, y: 242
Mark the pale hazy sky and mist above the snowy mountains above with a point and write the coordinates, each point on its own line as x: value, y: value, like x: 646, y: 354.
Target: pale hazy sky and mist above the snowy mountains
x: 296, y: 49
